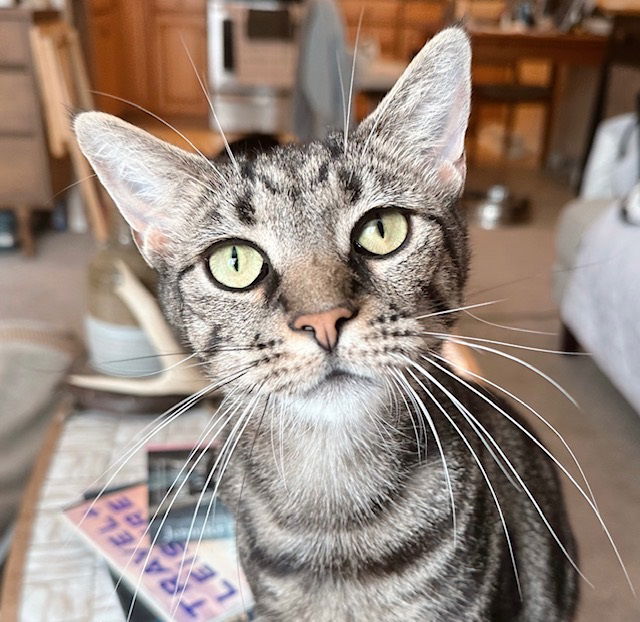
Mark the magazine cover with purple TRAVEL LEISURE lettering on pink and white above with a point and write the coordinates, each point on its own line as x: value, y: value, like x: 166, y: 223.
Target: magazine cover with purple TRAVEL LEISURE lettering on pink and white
x: 214, y: 591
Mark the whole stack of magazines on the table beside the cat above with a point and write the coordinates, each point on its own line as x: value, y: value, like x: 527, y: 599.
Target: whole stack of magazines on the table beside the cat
x: 168, y: 542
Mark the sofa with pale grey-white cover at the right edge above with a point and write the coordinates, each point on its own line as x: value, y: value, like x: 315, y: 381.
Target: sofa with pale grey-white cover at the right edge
x: 597, y: 267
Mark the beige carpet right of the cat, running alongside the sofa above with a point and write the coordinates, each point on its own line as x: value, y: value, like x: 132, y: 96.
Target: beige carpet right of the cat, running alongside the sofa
x: 604, y: 433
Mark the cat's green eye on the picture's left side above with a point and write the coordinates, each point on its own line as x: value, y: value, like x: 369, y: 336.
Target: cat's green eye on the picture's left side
x: 236, y: 265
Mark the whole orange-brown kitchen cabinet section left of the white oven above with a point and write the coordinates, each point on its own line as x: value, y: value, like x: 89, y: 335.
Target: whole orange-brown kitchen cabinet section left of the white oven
x: 136, y: 52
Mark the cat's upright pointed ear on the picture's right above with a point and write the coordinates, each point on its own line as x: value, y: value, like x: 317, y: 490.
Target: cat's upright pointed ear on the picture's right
x: 427, y: 111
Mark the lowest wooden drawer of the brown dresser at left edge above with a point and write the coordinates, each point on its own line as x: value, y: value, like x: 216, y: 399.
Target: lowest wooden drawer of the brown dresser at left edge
x: 24, y: 176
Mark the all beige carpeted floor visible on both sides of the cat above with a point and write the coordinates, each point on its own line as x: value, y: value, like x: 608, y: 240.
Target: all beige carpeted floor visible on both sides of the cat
x: 512, y: 263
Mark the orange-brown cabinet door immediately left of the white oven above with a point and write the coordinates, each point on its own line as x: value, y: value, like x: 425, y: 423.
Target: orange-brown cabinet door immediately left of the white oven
x: 176, y: 84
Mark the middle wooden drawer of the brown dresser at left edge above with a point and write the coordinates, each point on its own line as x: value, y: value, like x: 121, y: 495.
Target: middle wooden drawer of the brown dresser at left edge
x: 19, y: 112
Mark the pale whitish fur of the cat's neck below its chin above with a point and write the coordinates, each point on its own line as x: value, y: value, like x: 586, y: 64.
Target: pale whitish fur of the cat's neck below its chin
x: 330, y: 455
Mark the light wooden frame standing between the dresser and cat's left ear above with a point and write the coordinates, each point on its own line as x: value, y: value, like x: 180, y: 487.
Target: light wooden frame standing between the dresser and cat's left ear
x: 64, y: 88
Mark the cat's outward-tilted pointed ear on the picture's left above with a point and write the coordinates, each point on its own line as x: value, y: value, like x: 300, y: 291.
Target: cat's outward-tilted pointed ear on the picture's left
x: 145, y: 176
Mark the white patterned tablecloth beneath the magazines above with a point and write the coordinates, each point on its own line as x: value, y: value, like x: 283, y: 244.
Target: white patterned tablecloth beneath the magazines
x: 62, y: 579
